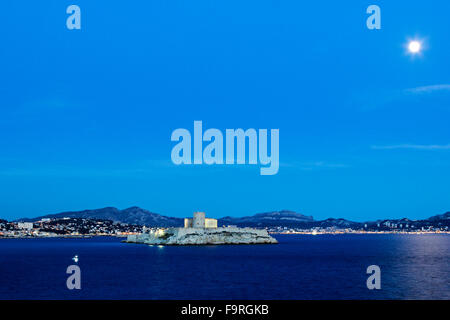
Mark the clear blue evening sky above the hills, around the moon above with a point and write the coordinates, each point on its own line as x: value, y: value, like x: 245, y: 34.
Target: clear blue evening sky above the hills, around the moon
x: 86, y: 115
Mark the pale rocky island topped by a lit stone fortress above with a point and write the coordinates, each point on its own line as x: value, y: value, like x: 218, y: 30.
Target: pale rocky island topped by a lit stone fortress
x: 202, y: 231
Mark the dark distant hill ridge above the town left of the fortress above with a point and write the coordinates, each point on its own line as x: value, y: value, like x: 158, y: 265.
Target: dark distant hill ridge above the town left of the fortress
x: 133, y: 215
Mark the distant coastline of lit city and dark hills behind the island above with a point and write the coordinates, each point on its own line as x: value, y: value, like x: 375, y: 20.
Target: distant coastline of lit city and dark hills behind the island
x: 114, y: 222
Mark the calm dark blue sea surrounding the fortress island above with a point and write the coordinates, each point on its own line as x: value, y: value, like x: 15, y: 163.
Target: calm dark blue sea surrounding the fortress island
x: 300, y: 267
